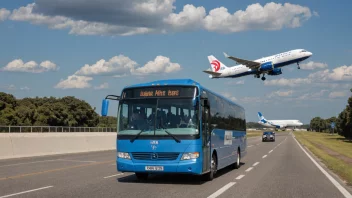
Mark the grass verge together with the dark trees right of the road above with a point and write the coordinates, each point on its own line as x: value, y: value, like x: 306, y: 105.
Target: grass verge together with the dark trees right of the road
x: 333, y: 146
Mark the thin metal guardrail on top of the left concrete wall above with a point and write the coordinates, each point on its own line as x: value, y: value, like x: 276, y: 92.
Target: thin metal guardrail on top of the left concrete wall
x: 53, y: 129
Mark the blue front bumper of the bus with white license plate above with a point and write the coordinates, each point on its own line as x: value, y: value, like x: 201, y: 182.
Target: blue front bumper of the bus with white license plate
x: 193, y: 166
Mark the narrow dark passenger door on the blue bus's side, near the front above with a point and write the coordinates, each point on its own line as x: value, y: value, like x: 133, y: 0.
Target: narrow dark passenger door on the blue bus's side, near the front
x: 206, y: 136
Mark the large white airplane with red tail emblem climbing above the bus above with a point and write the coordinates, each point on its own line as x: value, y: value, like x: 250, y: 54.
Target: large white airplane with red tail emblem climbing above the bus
x: 267, y: 65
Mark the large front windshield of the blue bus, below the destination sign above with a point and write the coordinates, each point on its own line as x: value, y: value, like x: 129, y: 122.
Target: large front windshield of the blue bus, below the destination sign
x: 155, y: 115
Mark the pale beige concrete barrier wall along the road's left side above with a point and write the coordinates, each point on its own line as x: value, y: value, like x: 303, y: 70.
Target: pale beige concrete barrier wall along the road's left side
x: 16, y: 145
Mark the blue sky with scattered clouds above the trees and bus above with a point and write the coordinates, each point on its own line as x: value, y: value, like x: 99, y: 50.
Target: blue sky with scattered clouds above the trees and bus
x: 89, y: 49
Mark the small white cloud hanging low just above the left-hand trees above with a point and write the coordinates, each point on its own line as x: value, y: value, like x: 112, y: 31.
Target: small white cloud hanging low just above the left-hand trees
x: 74, y: 82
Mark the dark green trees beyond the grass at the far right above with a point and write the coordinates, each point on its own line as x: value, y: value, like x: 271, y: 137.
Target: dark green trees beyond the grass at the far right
x: 343, y: 123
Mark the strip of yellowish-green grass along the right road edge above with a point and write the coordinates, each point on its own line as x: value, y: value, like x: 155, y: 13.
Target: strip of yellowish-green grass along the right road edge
x: 332, y: 150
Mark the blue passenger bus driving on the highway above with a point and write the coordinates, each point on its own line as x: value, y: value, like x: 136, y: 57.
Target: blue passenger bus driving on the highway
x: 177, y: 126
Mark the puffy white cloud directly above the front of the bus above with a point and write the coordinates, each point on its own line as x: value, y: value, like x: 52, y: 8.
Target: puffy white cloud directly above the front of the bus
x: 161, y: 64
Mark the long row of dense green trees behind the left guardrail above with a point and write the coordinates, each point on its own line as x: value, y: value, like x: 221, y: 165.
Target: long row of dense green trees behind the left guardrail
x: 50, y: 111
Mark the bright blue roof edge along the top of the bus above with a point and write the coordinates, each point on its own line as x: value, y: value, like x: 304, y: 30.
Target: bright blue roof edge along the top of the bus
x: 188, y: 82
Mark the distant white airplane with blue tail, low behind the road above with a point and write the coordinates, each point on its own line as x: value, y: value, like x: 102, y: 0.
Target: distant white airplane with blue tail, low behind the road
x: 278, y: 124
